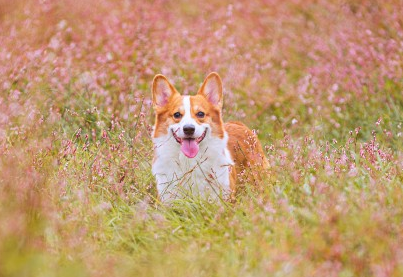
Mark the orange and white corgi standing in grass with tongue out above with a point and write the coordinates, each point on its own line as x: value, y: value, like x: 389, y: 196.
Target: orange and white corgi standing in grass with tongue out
x: 195, y: 153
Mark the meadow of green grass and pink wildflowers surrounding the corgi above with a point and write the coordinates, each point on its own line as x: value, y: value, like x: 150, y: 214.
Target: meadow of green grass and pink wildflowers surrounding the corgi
x: 320, y: 81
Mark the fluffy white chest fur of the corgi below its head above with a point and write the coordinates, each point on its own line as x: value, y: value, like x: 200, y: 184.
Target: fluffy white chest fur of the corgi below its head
x: 206, y: 175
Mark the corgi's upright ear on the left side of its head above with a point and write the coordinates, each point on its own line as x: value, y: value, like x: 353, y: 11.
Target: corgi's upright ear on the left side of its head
x: 162, y: 91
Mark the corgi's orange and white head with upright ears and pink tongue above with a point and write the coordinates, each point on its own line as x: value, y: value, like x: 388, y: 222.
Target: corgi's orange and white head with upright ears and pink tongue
x: 190, y: 120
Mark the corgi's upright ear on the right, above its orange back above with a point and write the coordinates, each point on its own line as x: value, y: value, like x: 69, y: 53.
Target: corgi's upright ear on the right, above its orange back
x: 212, y: 89
